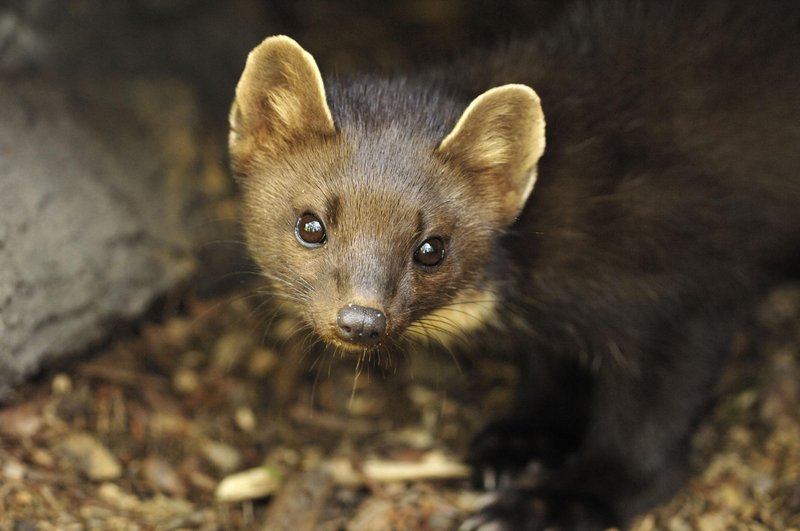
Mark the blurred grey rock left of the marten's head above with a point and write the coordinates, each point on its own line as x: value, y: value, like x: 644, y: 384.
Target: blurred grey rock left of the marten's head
x: 99, y: 210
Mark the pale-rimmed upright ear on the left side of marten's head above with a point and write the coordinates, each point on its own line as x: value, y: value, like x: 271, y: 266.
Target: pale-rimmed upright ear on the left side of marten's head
x: 280, y: 98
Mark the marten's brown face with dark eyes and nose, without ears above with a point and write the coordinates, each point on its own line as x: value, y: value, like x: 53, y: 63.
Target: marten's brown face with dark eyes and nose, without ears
x: 363, y: 245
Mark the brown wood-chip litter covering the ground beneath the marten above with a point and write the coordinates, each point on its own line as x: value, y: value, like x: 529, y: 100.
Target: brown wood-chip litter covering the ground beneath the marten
x: 216, y: 414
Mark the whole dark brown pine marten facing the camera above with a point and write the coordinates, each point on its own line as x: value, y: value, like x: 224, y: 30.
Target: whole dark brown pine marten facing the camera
x: 613, y: 251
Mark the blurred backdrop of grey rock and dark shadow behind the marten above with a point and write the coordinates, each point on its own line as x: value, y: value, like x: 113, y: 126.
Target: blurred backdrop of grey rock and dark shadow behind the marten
x: 113, y: 181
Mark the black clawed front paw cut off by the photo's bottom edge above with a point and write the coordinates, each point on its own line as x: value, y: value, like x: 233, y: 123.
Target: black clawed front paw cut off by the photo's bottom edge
x: 538, y: 510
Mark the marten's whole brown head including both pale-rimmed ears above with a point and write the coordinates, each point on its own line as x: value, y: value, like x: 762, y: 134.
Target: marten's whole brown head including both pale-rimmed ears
x: 380, y: 218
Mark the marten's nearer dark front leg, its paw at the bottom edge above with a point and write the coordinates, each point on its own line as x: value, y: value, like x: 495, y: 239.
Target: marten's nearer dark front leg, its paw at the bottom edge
x: 634, y: 452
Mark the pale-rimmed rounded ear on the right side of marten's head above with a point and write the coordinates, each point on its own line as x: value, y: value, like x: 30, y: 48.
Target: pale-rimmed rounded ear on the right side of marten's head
x: 497, y: 142
